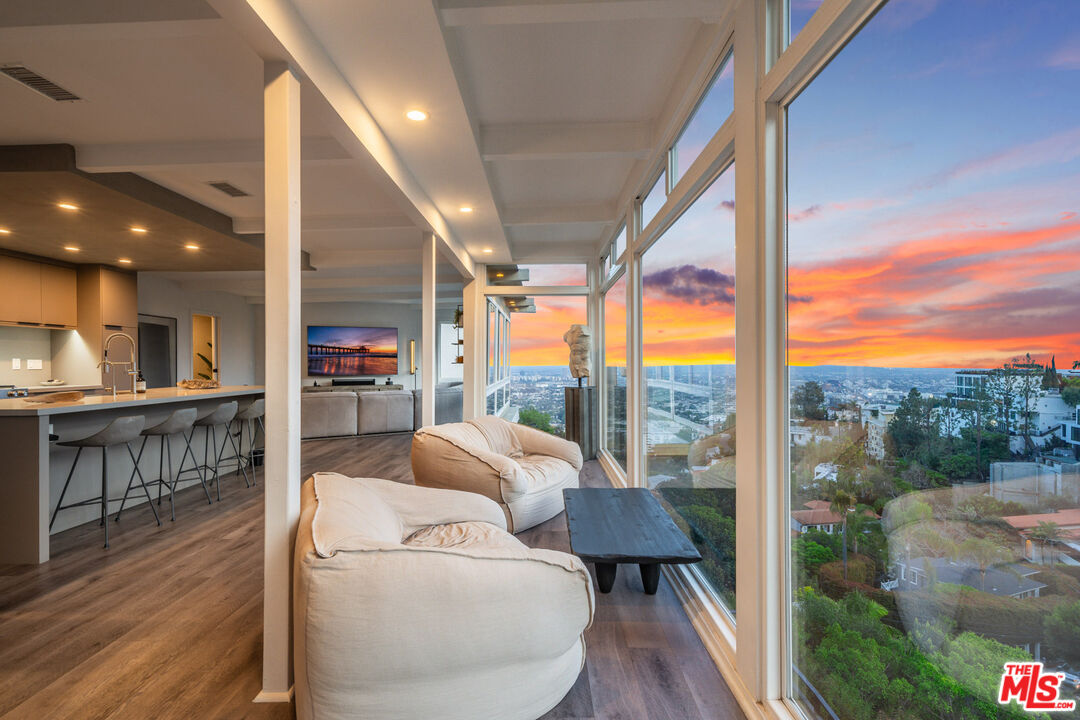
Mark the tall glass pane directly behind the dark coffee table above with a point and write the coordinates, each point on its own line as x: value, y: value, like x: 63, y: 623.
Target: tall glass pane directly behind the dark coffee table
x: 688, y: 317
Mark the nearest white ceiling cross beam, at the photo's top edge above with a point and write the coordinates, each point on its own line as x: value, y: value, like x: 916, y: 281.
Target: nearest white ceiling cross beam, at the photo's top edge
x: 523, y: 12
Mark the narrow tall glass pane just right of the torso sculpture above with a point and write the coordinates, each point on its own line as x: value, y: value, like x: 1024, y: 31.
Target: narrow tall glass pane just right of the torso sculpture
x: 615, y: 369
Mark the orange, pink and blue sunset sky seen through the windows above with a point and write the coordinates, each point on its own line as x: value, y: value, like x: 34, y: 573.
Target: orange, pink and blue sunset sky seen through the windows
x: 935, y: 205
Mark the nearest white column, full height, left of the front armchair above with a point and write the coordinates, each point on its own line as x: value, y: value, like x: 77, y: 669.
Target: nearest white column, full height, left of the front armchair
x: 282, y: 469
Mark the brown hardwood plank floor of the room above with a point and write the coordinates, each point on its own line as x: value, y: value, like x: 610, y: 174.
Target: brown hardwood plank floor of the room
x: 168, y: 622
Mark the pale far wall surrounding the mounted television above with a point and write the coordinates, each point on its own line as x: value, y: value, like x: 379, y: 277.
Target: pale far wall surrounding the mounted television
x: 406, y: 318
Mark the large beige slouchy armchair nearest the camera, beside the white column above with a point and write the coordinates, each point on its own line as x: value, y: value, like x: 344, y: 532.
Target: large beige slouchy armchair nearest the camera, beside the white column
x: 414, y: 603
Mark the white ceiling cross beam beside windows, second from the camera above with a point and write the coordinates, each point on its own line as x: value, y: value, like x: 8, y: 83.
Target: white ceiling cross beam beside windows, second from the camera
x: 564, y: 141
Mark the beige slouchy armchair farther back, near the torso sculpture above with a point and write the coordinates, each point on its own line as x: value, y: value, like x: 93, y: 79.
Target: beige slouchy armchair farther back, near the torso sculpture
x: 522, y: 469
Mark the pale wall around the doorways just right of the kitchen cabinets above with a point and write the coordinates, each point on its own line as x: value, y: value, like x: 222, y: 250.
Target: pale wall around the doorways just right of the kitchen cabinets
x: 236, y: 327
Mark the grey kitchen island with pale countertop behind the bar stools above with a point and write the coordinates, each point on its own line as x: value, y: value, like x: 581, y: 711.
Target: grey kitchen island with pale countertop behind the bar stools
x: 34, y: 472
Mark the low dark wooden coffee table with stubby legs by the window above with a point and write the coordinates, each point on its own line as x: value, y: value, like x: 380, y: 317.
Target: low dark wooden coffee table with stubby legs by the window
x: 609, y: 527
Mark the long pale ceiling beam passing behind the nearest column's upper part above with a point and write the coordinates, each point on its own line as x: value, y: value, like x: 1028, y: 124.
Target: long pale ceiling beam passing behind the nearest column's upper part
x: 150, y: 157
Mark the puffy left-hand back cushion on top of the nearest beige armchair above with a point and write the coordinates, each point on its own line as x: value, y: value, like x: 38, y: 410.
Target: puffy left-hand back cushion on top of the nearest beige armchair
x: 349, y: 517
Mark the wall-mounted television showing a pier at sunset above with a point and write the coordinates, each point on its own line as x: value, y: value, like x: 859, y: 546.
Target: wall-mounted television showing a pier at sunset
x: 347, y: 352
